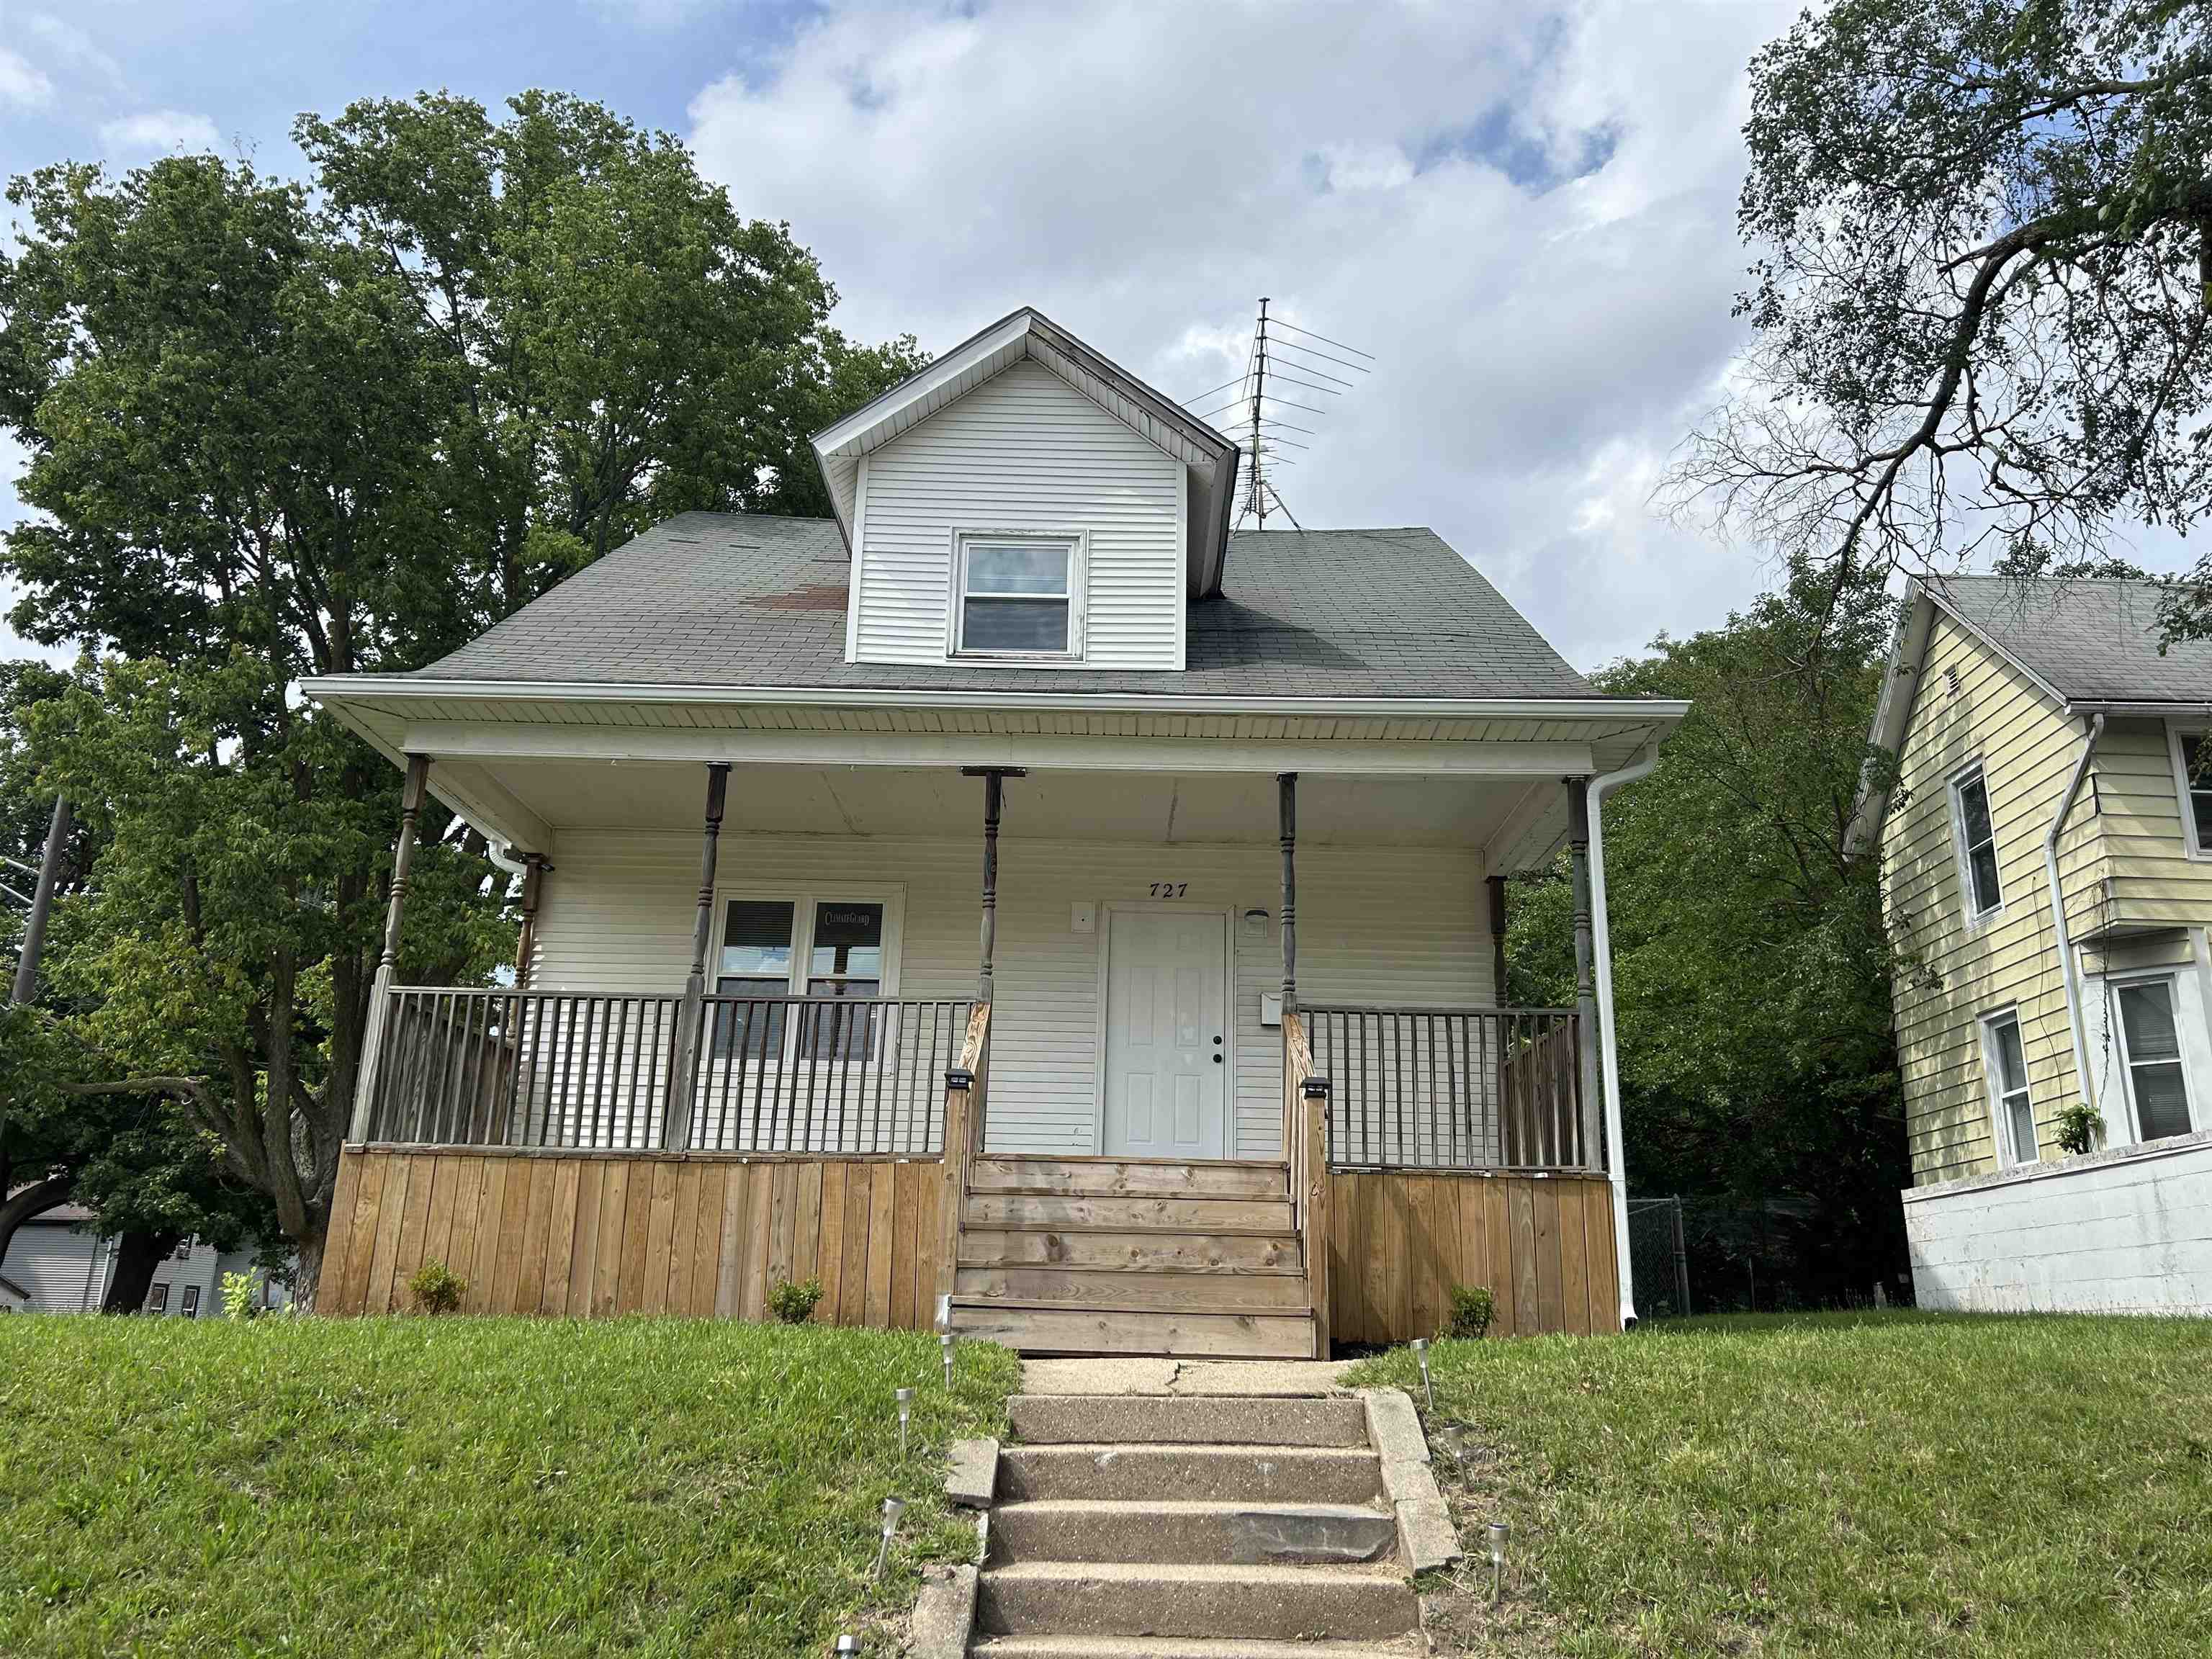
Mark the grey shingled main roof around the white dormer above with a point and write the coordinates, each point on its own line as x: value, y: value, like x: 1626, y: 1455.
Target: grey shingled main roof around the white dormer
x: 753, y: 601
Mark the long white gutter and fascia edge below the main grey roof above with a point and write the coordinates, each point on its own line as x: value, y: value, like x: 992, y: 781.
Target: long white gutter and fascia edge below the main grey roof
x: 397, y: 689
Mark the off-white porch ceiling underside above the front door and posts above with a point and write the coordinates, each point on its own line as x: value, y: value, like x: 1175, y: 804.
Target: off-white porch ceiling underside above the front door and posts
x: 1047, y: 804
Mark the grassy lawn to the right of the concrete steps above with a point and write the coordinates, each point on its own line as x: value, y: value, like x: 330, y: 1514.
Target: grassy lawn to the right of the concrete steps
x: 1835, y: 1485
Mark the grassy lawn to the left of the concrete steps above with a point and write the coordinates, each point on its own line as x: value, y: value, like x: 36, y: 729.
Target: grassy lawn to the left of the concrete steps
x: 466, y: 1485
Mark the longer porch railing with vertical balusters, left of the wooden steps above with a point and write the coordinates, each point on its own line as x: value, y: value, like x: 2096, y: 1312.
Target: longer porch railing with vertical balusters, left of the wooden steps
x: 596, y: 1072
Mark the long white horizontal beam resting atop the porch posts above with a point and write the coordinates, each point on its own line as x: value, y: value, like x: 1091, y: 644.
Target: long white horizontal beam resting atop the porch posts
x: 1039, y: 753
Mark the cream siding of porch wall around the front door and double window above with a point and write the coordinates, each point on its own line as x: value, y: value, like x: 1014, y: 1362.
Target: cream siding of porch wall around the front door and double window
x: 1395, y: 926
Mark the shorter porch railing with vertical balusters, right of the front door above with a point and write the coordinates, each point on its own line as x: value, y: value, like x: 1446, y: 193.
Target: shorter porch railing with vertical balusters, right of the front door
x: 1450, y: 1089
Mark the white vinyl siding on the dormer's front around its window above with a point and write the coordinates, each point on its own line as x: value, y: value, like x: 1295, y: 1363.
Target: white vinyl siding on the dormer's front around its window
x: 1023, y: 452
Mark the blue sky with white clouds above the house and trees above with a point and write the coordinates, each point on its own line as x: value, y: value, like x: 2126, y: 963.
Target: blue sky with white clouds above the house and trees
x: 1525, y: 216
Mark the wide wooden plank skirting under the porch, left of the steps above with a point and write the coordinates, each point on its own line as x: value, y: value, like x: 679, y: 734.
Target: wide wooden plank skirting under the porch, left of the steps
x: 596, y: 1235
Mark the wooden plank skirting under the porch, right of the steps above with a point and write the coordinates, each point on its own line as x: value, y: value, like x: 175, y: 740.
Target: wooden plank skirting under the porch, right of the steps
x: 1401, y: 1240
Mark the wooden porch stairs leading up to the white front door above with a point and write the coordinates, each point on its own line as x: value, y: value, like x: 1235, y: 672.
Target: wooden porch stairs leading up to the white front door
x: 1098, y: 1255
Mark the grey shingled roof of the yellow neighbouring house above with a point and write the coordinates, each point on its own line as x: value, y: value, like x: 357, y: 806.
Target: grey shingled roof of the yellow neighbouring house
x: 2087, y: 640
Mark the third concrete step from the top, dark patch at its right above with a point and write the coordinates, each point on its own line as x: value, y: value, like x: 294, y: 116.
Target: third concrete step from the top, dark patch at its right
x: 1180, y: 1532
